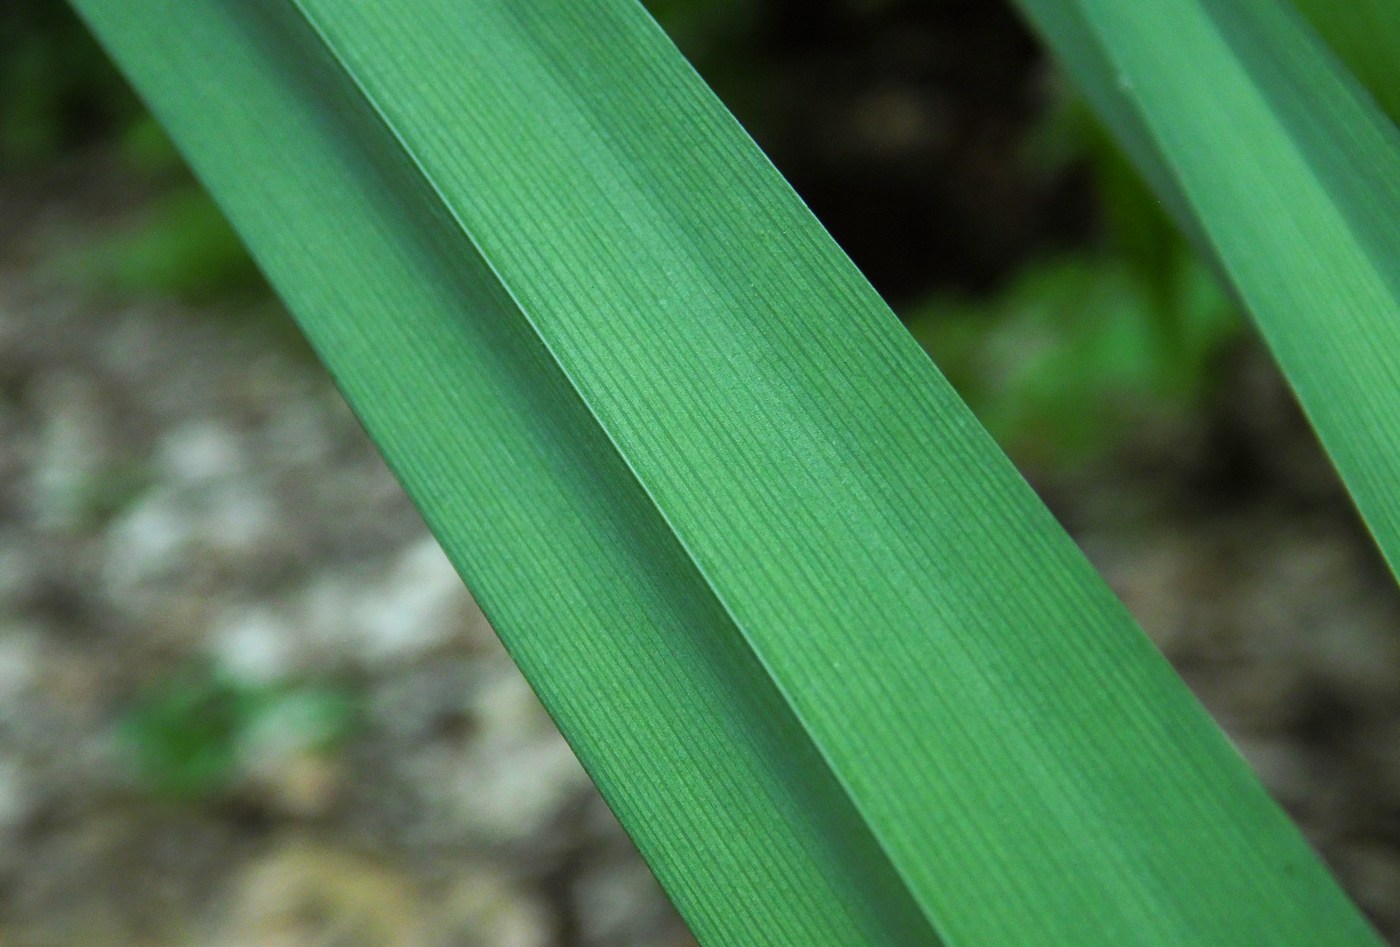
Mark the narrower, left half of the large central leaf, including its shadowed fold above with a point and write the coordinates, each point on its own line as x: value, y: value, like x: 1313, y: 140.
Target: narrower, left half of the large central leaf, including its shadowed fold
x: 666, y: 705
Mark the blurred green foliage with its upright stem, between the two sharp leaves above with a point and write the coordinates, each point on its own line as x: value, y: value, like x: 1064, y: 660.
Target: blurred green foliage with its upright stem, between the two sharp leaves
x: 1088, y: 350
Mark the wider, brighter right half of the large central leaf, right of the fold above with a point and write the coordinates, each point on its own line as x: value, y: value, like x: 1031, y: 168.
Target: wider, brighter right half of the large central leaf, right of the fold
x: 887, y: 448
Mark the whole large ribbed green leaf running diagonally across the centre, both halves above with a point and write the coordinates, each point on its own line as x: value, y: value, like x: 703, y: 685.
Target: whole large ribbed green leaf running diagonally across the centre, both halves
x: 831, y: 661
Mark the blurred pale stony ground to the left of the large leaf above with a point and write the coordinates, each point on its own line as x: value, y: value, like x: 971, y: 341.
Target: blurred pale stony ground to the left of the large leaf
x: 185, y: 501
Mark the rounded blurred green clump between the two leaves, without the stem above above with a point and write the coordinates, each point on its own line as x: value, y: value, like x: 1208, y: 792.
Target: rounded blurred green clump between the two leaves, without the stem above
x: 1079, y: 354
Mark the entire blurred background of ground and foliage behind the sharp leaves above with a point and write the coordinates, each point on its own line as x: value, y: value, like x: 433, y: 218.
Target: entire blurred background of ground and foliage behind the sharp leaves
x: 244, y: 698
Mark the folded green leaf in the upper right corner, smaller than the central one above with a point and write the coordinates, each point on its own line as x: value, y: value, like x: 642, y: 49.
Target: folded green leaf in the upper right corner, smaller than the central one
x: 1290, y: 179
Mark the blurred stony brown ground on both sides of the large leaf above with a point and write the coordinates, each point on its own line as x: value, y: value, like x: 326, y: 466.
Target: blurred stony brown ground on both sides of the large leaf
x: 194, y: 527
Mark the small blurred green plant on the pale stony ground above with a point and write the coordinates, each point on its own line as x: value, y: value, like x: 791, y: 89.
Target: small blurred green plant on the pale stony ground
x: 195, y: 733
